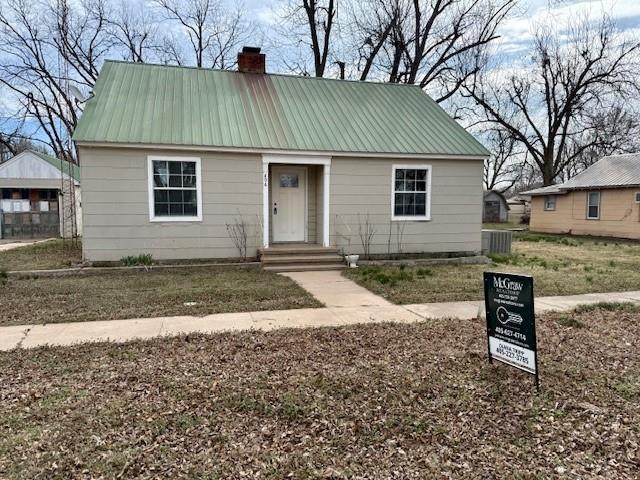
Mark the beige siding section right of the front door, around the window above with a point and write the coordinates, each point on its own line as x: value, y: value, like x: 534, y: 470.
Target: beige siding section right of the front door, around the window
x: 363, y: 186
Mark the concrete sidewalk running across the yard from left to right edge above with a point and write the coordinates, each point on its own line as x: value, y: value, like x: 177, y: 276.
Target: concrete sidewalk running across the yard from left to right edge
x: 29, y: 336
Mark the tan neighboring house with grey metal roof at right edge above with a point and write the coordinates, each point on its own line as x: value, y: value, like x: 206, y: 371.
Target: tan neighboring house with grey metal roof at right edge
x: 604, y: 200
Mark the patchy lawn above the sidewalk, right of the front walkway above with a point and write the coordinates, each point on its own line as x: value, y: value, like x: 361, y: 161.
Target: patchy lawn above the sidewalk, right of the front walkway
x: 560, y: 265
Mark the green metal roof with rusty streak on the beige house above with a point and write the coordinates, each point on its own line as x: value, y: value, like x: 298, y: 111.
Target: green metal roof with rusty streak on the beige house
x: 156, y: 104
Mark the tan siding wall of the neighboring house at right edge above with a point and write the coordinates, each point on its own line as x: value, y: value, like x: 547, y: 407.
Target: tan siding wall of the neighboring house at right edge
x: 619, y: 214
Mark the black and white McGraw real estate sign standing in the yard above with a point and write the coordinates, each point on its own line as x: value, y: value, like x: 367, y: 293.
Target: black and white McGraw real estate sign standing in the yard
x: 511, y: 323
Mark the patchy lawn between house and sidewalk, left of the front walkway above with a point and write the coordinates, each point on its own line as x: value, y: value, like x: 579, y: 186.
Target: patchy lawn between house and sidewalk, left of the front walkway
x: 120, y: 295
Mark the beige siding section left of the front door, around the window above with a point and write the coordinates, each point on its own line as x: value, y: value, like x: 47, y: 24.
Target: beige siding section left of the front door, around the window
x: 116, y: 206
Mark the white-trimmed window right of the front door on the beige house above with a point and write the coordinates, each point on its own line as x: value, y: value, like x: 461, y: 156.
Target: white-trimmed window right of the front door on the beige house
x: 411, y: 192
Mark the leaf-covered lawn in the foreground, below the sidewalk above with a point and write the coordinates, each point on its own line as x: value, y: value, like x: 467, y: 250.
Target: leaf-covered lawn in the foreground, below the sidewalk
x: 371, y: 401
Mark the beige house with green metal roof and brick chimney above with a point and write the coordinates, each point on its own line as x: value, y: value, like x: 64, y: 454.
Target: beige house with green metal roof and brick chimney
x: 174, y: 159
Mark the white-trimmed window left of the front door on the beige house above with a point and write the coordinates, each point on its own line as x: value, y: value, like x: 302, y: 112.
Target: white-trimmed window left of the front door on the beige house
x: 175, y: 189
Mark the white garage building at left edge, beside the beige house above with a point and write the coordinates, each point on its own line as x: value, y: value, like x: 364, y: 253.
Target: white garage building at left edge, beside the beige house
x: 34, y: 188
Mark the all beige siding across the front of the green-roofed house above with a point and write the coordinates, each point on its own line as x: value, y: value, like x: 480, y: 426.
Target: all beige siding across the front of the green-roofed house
x: 116, y: 207
